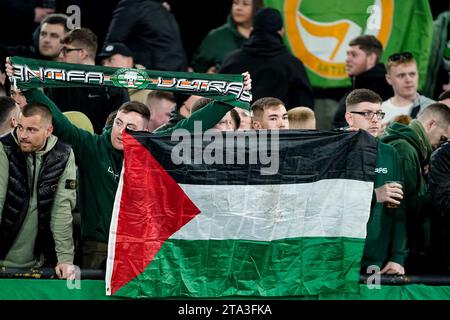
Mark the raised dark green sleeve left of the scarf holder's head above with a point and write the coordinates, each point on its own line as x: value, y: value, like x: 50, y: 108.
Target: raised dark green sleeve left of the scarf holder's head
x: 79, y: 139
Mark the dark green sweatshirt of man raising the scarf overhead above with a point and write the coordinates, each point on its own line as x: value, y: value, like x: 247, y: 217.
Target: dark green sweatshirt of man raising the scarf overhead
x: 99, y: 164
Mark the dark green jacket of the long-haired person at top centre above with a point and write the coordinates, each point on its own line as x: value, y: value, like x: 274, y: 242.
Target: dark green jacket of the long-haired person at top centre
x: 216, y: 45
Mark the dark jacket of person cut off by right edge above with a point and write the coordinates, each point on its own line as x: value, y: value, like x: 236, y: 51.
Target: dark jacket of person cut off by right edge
x: 440, y: 219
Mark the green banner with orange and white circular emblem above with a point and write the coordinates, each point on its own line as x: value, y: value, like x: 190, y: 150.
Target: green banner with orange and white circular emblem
x: 318, y: 32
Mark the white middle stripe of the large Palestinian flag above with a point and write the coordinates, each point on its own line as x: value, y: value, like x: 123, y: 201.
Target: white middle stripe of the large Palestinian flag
x: 326, y: 208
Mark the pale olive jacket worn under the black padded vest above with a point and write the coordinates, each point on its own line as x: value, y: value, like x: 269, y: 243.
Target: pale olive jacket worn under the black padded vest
x: 22, y: 252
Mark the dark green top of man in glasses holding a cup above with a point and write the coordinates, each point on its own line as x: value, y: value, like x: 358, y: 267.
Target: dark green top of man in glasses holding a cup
x: 386, y: 229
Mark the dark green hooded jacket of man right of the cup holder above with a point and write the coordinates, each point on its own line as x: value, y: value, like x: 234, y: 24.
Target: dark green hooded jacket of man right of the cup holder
x: 414, y: 149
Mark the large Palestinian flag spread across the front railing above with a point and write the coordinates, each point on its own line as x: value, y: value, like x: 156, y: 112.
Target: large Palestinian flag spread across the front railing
x: 247, y: 213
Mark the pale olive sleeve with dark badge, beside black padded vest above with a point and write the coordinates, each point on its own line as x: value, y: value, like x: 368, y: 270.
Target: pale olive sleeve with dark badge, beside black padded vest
x: 61, y: 215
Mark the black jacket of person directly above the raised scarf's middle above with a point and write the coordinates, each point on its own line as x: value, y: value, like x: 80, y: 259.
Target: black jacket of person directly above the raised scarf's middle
x: 151, y: 32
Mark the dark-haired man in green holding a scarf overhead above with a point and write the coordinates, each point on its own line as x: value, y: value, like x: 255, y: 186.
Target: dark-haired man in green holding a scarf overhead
x: 100, y: 158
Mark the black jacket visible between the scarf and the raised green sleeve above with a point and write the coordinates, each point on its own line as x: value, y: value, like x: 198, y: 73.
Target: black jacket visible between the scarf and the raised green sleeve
x: 95, y: 102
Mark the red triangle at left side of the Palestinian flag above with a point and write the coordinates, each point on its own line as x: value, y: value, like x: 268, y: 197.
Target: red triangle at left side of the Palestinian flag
x: 156, y: 208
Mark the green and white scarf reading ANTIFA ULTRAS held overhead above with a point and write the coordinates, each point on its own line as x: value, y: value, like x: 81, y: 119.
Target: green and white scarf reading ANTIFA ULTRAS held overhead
x: 228, y: 88
